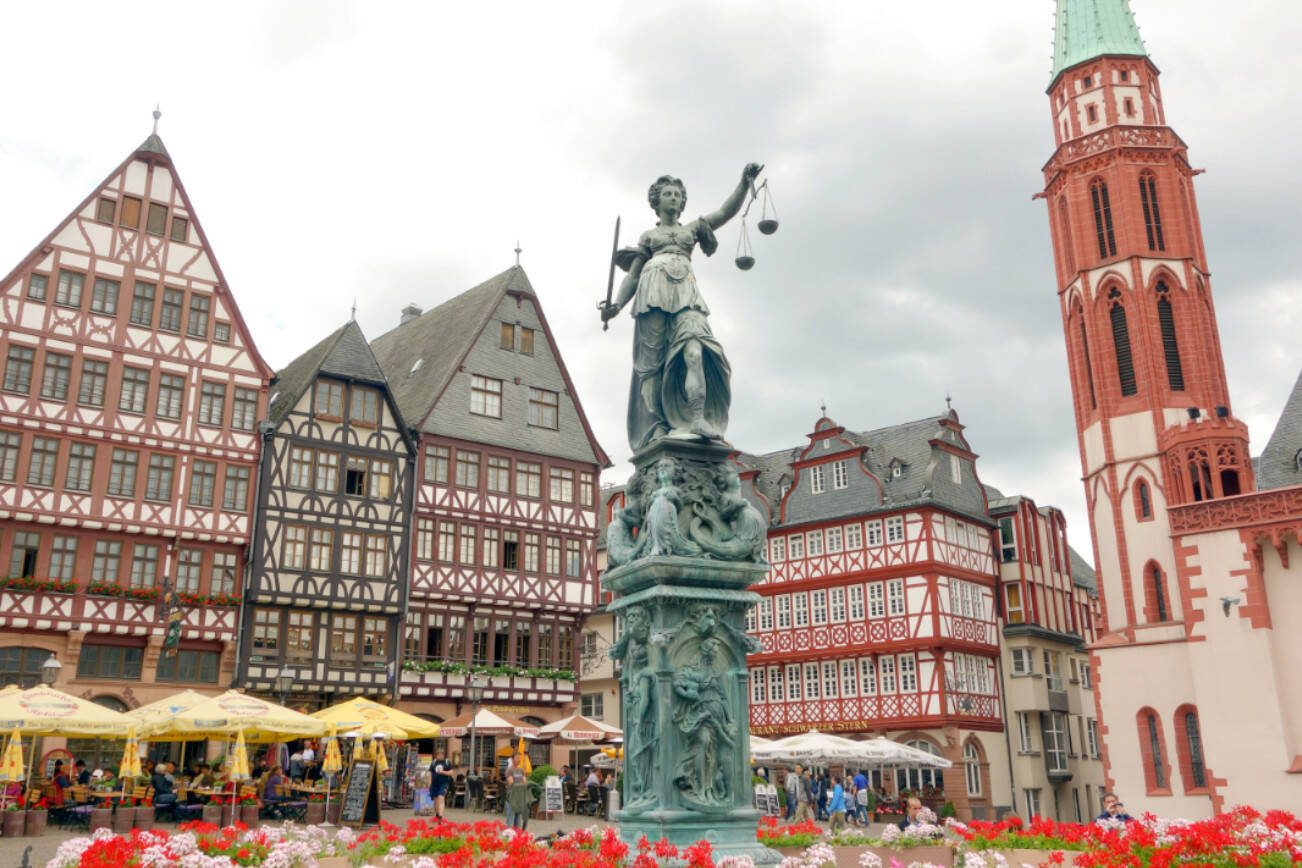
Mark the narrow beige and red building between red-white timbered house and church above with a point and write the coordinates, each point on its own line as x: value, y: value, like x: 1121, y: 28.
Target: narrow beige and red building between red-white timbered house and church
x: 1051, y: 610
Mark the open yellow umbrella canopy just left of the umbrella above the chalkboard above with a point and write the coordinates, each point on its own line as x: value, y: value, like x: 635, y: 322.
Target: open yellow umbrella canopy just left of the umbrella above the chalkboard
x: 219, y: 718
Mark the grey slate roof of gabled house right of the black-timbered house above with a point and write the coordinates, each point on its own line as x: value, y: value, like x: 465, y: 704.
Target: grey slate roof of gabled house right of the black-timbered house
x: 422, y: 356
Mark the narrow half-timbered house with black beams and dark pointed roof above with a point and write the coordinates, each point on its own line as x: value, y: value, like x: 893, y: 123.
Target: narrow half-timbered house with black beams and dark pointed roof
x: 330, y: 558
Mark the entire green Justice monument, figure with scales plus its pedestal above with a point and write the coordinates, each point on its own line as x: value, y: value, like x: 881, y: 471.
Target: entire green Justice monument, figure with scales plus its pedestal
x: 687, y: 545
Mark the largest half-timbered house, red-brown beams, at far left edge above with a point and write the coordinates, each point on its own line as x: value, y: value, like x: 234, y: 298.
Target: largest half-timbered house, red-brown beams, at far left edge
x: 130, y: 404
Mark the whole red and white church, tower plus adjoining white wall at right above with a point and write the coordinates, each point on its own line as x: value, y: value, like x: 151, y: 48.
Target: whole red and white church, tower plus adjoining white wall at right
x: 1198, y: 692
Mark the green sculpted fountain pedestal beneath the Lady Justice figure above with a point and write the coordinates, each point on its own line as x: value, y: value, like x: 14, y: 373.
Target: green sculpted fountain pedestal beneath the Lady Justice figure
x: 684, y: 686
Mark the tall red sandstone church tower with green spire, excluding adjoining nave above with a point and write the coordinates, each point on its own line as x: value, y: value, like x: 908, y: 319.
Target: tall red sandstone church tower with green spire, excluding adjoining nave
x: 1153, y: 408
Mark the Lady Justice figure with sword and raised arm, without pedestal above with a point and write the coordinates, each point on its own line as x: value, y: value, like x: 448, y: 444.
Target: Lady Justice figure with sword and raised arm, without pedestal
x: 680, y: 374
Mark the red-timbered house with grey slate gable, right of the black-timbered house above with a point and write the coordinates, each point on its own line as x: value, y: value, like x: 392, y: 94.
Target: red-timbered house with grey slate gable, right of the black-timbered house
x: 505, y: 521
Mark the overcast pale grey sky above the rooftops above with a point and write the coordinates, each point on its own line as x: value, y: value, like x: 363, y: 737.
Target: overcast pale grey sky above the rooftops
x: 395, y: 153
